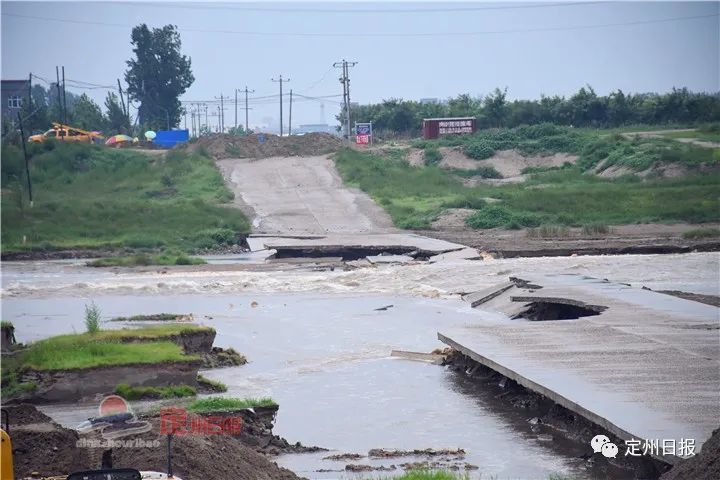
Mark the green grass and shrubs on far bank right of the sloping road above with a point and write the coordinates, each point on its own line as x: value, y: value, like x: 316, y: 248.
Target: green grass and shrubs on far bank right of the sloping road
x: 414, y: 197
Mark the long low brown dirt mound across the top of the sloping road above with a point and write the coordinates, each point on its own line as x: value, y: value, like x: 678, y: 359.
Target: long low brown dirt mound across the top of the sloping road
x: 232, y: 146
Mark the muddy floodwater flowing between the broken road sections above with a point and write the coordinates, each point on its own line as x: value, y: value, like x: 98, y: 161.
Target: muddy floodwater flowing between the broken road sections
x: 316, y: 344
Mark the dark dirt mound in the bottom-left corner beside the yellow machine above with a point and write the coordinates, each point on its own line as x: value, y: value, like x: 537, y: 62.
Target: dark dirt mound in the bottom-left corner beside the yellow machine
x: 41, y: 445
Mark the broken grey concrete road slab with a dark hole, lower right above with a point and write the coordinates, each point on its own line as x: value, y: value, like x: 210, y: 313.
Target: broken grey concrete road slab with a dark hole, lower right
x: 635, y: 363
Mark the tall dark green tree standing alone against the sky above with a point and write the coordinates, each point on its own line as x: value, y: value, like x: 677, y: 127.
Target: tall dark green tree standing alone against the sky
x: 158, y: 74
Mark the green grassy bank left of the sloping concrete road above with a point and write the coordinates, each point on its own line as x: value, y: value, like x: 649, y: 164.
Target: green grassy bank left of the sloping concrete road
x: 94, y: 197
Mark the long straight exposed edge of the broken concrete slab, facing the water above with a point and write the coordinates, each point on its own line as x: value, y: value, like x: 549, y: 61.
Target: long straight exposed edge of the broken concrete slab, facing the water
x: 550, y: 394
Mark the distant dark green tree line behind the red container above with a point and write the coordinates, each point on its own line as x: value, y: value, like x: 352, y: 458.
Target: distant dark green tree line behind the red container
x: 583, y: 109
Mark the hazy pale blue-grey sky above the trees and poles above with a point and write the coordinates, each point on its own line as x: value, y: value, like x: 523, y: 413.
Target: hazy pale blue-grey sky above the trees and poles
x: 549, y: 48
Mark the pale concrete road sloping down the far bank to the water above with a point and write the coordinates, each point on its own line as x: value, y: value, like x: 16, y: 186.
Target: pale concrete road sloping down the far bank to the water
x: 301, y: 196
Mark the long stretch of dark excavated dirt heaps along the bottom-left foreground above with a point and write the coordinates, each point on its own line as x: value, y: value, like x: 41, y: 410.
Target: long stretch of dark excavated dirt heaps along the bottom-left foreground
x: 41, y: 445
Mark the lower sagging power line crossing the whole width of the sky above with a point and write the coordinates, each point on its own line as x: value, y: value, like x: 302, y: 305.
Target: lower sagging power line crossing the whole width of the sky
x: 387, y: 34
